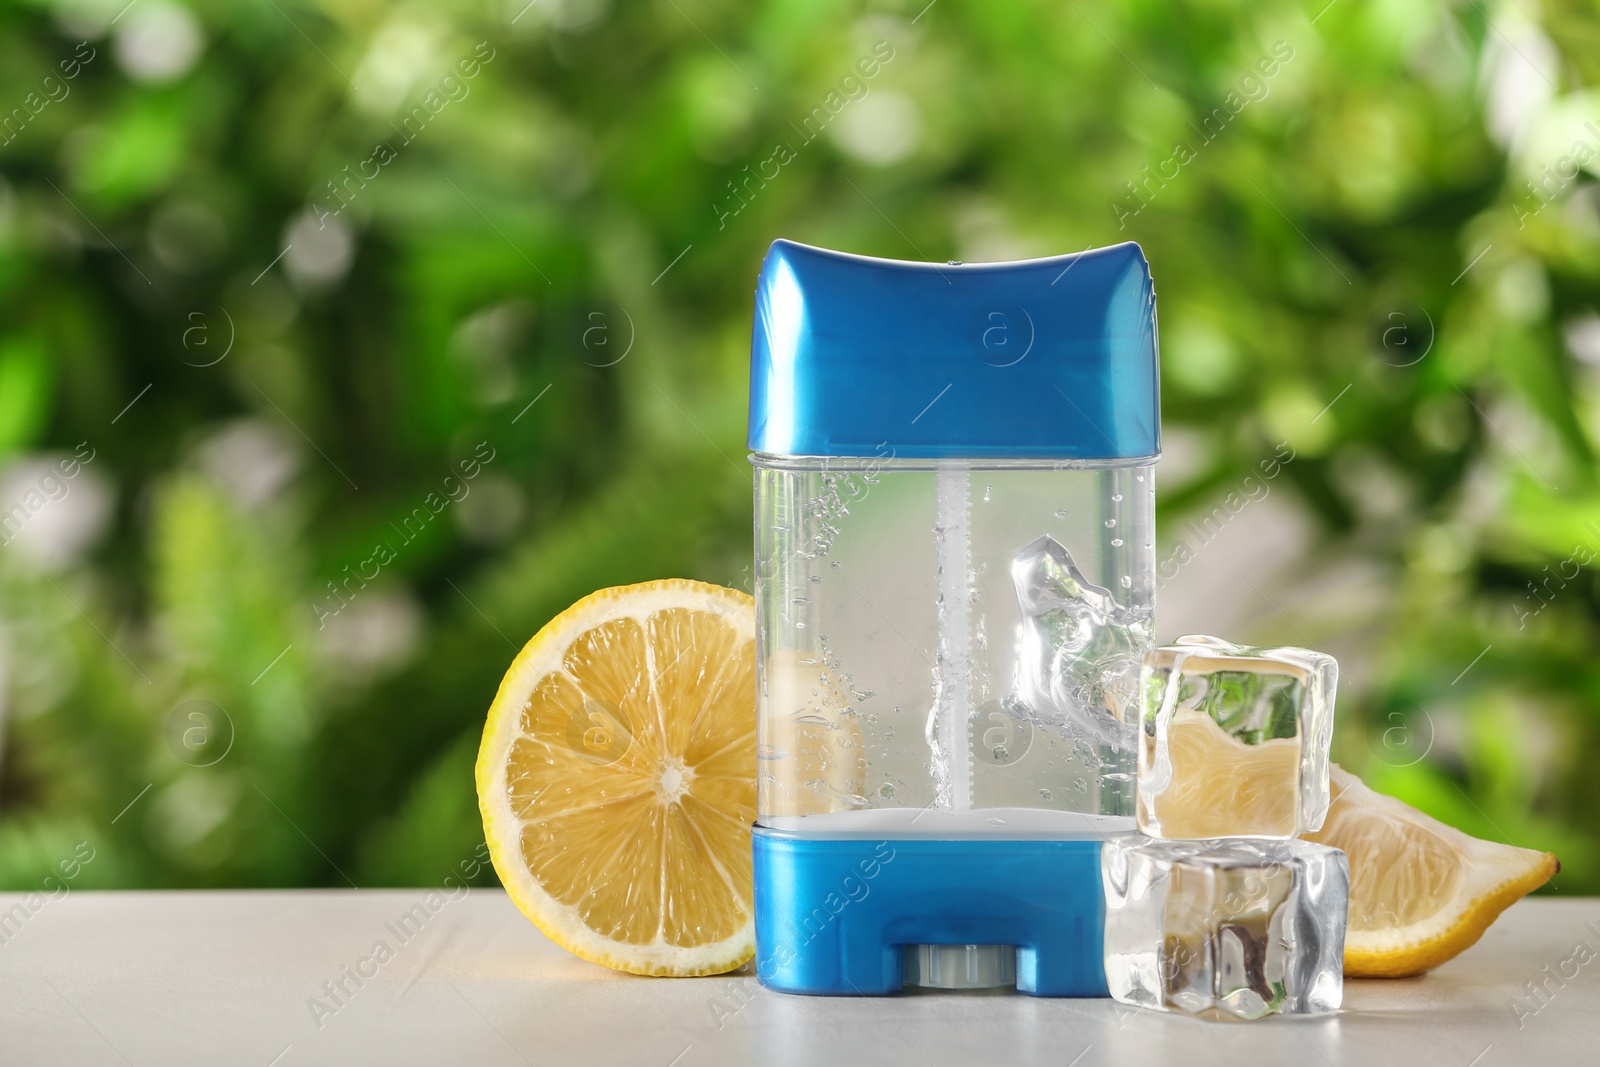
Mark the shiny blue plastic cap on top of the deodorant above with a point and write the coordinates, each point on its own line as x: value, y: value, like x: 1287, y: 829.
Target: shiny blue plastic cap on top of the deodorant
x: 1042, y: 359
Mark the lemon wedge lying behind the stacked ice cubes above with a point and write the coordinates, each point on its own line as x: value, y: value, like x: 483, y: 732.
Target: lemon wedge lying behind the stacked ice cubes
x: 1422, y: 892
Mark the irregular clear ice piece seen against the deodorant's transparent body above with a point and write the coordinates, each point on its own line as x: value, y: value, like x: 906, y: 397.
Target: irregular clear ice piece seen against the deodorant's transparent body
x: 1079, y: 650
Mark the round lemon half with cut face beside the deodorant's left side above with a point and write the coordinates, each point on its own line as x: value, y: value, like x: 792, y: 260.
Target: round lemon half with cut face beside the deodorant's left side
x: 617, y: 778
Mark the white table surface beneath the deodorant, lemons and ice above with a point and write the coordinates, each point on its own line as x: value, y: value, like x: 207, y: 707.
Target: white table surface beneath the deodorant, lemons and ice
x: 226, y: 978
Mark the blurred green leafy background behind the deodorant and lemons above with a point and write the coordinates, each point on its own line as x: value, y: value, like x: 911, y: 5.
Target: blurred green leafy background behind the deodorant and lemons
x: 271, y: 271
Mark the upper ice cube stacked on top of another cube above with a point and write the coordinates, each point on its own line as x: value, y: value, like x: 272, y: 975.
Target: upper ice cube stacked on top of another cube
x: 1234, y: 740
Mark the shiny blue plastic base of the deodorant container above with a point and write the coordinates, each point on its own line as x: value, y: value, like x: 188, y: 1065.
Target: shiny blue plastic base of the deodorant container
x: 834, y: 914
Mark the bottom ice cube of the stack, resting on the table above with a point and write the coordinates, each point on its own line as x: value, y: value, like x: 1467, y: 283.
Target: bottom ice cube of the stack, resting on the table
x: 1226, y: 929
